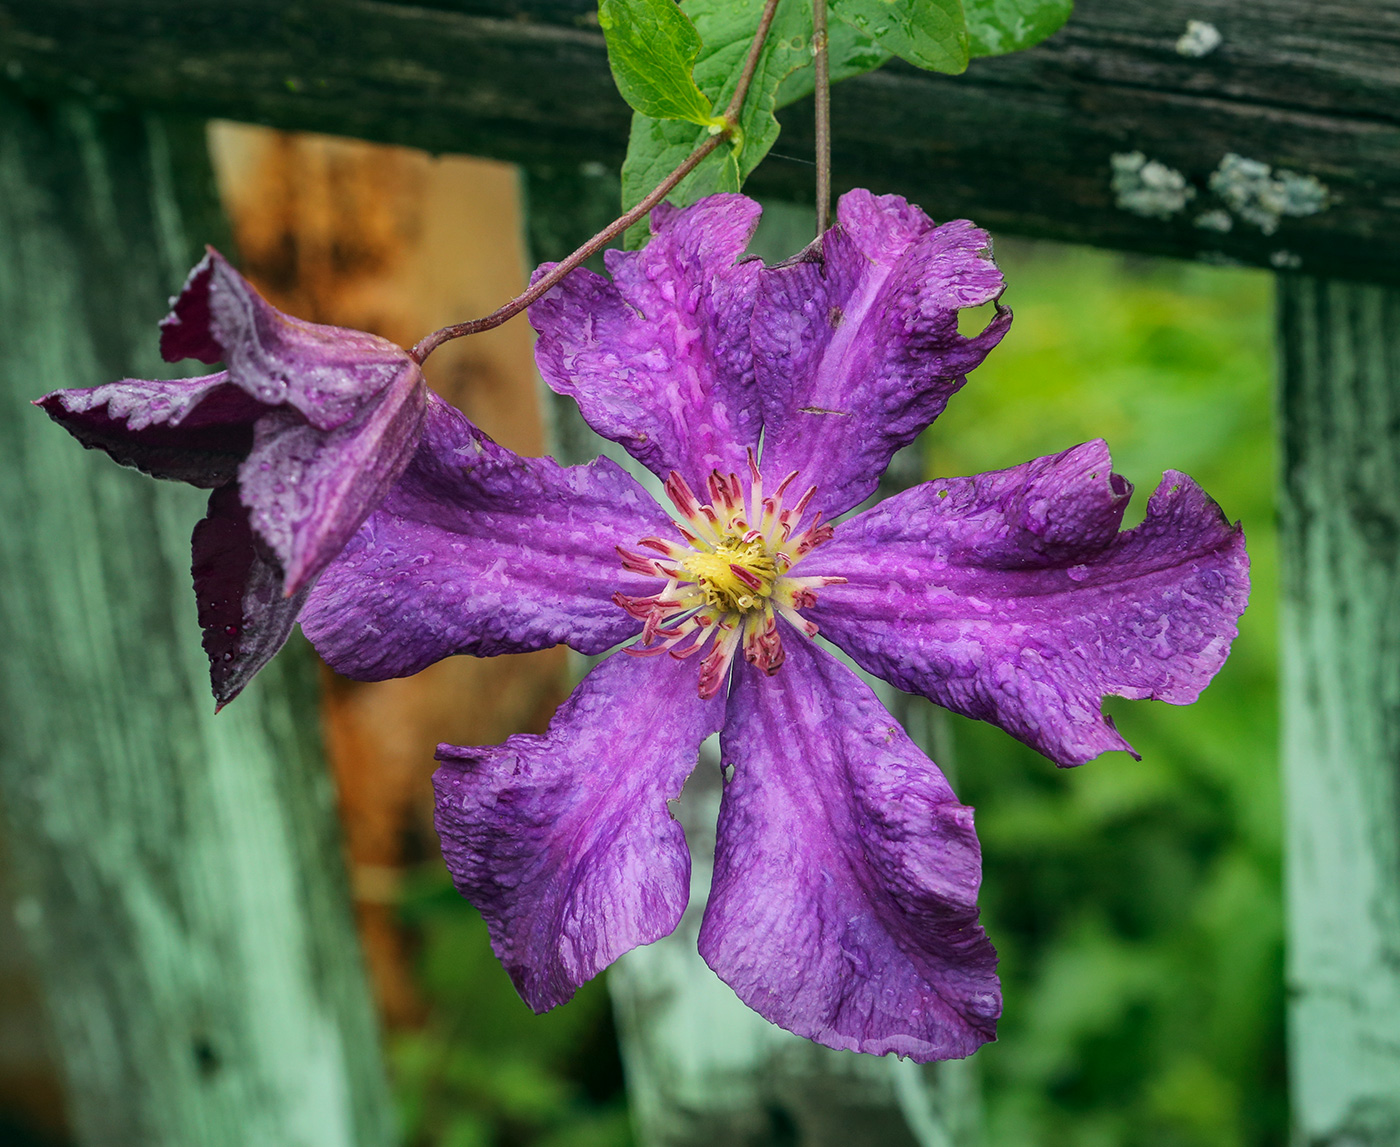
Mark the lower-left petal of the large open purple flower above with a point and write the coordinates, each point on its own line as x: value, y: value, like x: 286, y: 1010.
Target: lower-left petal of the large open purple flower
x: 565, y: 842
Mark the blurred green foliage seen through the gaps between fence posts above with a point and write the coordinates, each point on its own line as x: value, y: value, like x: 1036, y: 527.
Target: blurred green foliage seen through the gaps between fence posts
x: 1136, y: 905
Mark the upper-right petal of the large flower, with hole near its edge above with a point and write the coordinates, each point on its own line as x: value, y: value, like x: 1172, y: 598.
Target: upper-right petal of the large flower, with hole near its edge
x: 856, y: 342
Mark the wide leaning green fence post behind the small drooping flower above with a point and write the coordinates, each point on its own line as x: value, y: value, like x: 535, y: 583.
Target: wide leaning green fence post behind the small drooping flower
x: 180, y: 875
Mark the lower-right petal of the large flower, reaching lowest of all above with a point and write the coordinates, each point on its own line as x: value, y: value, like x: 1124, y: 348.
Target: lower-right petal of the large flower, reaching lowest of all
x: 845, y: 898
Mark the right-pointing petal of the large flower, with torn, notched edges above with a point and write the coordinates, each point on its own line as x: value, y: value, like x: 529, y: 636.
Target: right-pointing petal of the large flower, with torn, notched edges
x: 1011, y: 596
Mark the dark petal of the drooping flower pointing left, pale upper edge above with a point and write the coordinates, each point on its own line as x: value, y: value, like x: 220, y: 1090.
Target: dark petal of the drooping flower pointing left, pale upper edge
x: 194, y: 431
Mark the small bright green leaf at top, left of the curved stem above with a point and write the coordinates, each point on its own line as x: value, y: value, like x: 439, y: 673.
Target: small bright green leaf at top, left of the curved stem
x: 652, y: 50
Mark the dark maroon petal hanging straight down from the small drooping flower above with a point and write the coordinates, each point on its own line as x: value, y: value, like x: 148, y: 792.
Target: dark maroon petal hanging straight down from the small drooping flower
x: 239, y: 589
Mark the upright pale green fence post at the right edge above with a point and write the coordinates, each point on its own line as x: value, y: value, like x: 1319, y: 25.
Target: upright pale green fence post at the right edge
x: 1340, y: 508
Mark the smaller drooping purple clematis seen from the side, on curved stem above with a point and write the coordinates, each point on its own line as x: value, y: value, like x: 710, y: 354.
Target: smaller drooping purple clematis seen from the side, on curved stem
x: 299, y: 439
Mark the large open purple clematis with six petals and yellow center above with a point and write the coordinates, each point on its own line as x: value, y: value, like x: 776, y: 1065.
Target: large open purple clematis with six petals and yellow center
x: 769, y: 401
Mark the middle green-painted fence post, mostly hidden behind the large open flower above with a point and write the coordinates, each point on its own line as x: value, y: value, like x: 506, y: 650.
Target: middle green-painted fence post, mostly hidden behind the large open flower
x: 702, y: 1068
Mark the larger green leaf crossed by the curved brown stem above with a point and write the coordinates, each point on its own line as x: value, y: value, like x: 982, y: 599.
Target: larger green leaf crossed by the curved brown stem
x: 660, y: 146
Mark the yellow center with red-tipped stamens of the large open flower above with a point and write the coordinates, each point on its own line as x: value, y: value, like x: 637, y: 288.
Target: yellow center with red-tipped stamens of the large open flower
x: 731, y: 576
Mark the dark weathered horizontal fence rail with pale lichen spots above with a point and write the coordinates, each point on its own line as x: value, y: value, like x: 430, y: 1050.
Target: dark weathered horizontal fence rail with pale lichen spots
x: 1023, y: 144
